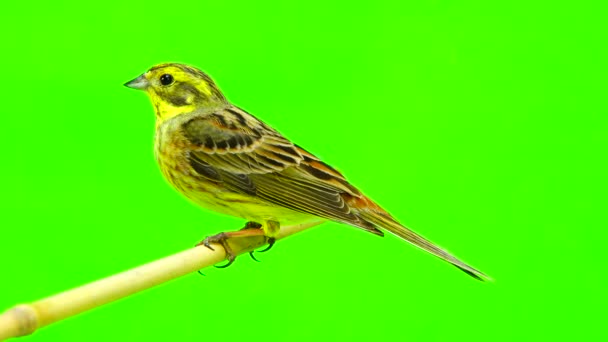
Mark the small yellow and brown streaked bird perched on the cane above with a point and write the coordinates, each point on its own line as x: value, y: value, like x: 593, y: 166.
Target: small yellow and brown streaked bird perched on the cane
x: 225, y: 159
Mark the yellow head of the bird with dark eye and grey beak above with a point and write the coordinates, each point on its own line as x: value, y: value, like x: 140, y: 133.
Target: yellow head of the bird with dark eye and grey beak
x: 177, y: 88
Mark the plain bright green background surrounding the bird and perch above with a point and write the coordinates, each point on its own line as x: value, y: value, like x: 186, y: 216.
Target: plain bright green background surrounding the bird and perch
x: 483, y: 126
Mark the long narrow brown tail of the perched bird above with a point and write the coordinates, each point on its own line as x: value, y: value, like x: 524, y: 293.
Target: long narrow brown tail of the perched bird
x: 378, y: 217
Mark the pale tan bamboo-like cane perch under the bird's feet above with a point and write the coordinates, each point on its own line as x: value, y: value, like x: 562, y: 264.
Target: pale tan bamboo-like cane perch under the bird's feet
x: 24, y: 319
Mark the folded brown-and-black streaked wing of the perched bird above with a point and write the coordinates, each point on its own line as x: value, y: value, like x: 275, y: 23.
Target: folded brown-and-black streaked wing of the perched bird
x: 234, y: 148
